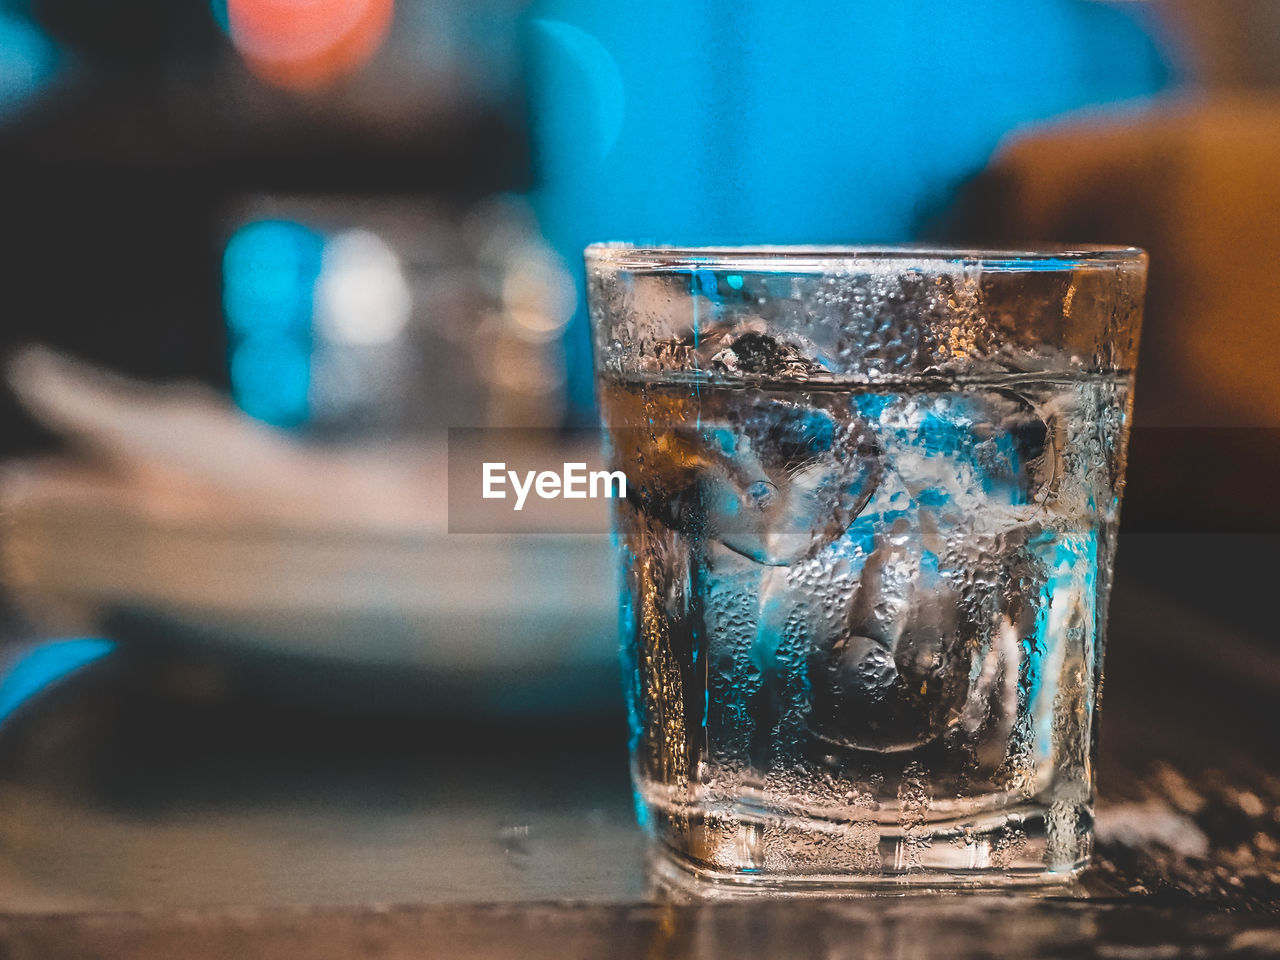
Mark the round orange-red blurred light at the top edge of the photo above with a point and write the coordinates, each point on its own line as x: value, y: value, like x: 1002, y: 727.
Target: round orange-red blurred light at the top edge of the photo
x: 308, y: 44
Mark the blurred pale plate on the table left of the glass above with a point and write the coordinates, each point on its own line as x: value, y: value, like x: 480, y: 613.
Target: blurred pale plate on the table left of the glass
x: 86, y: 552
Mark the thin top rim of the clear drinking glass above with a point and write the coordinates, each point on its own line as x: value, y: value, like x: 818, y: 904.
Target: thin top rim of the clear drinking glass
x: 839, y: 258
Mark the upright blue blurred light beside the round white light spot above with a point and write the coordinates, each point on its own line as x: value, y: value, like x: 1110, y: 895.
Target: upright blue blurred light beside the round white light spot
x: 269, y: 272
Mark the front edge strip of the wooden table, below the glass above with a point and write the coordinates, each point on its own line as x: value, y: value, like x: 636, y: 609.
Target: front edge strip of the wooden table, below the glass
x: 912, y: 927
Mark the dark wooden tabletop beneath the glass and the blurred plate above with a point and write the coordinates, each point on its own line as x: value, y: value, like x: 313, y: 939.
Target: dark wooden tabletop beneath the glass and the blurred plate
x: 162, y: 798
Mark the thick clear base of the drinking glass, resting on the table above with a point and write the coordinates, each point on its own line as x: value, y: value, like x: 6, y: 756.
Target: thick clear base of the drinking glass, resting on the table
x: 1023, y: 845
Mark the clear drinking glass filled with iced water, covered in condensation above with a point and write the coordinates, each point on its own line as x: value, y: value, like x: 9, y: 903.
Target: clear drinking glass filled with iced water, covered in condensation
x: 866, y: 552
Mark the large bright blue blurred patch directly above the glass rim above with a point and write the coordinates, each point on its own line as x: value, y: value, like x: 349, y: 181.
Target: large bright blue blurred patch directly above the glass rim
x: 772, y: 124
